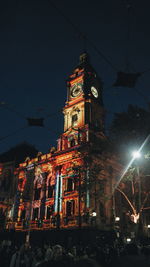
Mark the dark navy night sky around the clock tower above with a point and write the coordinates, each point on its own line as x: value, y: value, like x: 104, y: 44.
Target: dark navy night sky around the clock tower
x: 39, y: 47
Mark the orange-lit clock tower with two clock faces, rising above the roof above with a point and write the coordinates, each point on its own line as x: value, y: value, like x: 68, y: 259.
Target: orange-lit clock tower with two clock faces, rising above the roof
x: 84, y: 106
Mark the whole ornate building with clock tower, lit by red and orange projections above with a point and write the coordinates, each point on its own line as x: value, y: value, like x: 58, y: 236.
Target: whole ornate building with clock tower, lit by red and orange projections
x: 72, y: 185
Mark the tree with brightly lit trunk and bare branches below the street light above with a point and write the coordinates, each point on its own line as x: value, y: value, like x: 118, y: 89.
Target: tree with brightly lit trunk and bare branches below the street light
x: 135, y: 196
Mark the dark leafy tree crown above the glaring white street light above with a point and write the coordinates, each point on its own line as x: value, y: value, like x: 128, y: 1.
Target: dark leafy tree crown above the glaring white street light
x: 129, y: 129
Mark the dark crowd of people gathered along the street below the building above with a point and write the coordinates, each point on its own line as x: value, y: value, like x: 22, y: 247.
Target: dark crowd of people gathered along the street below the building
x: 74, y: 255
